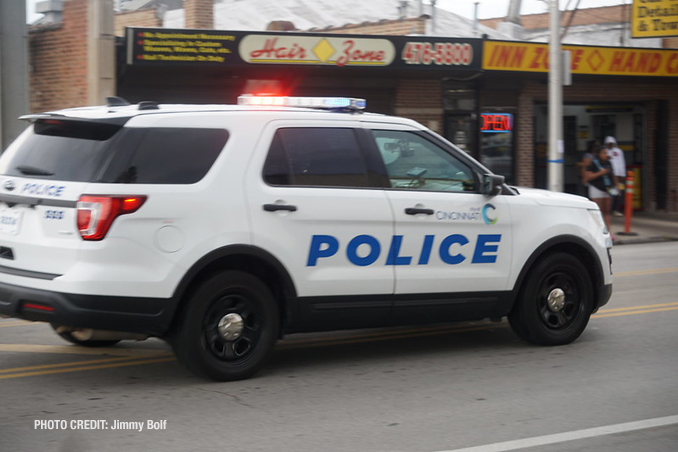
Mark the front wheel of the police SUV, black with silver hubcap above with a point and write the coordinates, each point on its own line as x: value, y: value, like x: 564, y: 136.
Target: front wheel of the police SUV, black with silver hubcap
x: 555, y: 302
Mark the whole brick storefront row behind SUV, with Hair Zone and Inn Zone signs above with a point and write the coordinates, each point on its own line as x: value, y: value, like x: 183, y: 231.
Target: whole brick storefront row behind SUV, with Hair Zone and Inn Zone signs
x: 489, y: 97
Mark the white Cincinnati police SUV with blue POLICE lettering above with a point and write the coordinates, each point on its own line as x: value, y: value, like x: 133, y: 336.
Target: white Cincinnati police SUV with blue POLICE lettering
x: 221, y: 228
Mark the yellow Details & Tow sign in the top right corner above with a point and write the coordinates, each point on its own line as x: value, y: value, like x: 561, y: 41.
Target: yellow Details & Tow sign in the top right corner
x: 654, y: 18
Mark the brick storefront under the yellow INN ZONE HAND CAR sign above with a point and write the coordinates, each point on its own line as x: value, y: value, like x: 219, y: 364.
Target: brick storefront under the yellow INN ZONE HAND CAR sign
x: 628, y: 93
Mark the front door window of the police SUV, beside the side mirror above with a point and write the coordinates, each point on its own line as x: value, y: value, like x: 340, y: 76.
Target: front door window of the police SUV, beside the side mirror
x: 414, y: 163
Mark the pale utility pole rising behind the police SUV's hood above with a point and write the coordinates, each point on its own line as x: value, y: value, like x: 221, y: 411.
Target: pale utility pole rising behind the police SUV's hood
x: 556, y: 152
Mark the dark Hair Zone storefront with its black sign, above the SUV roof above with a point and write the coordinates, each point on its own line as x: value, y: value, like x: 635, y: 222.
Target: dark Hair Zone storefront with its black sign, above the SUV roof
x: 431, y: 80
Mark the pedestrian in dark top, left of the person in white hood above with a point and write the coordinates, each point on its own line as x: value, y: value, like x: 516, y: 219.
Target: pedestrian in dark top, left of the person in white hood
x: 601, y: 182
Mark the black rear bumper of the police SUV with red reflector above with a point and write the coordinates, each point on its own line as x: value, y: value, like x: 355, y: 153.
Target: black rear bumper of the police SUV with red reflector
x: 151, y: 316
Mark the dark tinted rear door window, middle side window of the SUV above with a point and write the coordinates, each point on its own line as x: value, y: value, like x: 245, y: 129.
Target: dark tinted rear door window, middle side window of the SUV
x: 316, y: 157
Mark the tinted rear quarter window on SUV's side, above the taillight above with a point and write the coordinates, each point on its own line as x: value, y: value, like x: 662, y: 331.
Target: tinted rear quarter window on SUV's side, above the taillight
x: 165, y: 155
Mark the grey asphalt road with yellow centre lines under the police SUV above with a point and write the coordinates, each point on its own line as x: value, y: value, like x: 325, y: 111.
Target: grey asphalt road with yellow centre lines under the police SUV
x: 471, y: 386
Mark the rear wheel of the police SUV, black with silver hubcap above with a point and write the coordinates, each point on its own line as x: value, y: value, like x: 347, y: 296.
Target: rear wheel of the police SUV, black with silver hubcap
x: 229, y: 327
